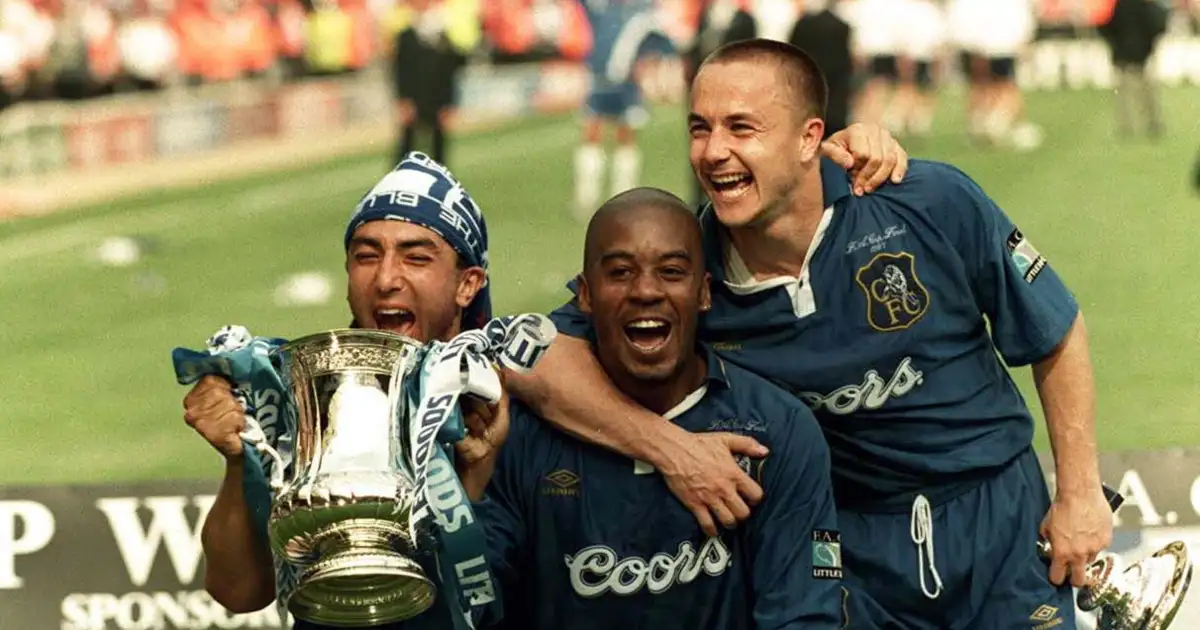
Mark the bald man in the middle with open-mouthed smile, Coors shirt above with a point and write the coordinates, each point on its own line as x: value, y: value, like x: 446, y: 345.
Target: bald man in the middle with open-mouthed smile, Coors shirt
x: 583, y: 538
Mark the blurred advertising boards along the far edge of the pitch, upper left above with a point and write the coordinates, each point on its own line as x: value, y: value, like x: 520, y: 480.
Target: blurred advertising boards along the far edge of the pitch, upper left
x: 41, y: 139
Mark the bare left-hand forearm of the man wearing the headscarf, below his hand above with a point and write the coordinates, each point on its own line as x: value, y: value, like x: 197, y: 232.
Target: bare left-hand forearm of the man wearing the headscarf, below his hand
x: 239, y: 572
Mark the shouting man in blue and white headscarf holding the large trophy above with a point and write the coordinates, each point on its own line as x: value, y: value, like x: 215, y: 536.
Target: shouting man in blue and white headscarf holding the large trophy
x: 417, y: 266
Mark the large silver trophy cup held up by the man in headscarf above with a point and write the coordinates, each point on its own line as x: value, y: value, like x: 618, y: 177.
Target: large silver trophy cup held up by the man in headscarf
x: 341, y: 519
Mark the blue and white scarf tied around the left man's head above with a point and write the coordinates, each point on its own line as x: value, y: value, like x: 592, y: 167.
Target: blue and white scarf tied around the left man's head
x: 424, y: 193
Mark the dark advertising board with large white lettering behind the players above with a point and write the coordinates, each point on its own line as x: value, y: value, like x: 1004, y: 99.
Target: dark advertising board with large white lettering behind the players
x: 129, y: 557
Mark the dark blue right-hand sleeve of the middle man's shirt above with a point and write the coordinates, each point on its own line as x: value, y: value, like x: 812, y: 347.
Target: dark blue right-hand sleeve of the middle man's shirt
x: 793, y: 539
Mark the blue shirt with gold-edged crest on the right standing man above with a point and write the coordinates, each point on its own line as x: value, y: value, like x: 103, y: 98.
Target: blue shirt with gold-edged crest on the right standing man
x: 897, y: 332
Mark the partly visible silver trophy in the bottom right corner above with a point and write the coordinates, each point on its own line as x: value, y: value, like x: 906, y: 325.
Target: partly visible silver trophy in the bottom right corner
x: 1145, y: 596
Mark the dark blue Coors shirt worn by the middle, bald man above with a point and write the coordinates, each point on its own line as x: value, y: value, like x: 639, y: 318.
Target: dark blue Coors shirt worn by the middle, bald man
x: 584, y: 538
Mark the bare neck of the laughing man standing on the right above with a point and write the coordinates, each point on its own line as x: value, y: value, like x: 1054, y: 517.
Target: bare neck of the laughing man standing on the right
x: 778, y: 245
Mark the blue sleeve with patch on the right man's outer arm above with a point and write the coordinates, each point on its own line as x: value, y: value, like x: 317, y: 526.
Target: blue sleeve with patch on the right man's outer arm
x: 1028, y: 305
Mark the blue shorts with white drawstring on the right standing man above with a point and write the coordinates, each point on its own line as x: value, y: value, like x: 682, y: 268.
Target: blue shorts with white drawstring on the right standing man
x: 985, y: 550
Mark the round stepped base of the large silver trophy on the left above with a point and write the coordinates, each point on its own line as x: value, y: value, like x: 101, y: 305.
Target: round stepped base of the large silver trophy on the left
x: 361, y: 580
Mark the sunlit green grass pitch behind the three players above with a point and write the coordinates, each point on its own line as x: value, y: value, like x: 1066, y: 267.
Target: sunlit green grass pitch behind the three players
x: 88, y: 393
